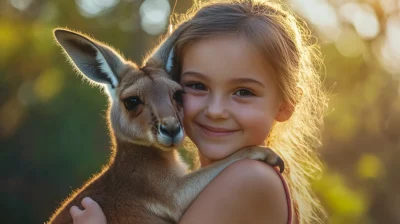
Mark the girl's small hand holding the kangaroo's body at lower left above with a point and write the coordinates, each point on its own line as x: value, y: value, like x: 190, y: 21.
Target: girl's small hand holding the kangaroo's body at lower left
x: 91, y: 215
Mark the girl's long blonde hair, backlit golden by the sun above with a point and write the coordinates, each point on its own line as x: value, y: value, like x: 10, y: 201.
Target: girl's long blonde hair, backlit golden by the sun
x: 286, y: 43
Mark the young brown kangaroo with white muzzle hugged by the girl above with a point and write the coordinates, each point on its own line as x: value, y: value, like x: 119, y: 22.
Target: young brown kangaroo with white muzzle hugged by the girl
x: 145, y: 180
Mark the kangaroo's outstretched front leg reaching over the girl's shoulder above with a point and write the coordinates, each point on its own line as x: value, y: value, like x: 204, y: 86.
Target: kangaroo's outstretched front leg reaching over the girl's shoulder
x: 192, y: 184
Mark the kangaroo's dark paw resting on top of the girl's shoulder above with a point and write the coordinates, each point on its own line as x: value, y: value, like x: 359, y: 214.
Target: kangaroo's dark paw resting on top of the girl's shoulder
x: 268, y: 156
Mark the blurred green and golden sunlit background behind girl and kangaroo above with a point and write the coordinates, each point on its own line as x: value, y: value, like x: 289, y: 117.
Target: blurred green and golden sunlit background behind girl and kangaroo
x: 53, y: 131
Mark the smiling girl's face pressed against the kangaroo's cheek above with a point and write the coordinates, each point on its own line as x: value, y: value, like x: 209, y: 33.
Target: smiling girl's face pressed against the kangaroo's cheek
x: 231, y: 98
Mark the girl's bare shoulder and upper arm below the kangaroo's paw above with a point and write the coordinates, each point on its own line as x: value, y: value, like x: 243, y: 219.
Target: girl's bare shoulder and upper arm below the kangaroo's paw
x: 245, y: 190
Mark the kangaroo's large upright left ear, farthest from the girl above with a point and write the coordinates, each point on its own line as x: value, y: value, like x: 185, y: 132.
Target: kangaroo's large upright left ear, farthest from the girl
x: 96, y: 61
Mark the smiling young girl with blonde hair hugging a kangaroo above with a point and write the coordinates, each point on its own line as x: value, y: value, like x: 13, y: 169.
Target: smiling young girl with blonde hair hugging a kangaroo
x: 250, y: 78
